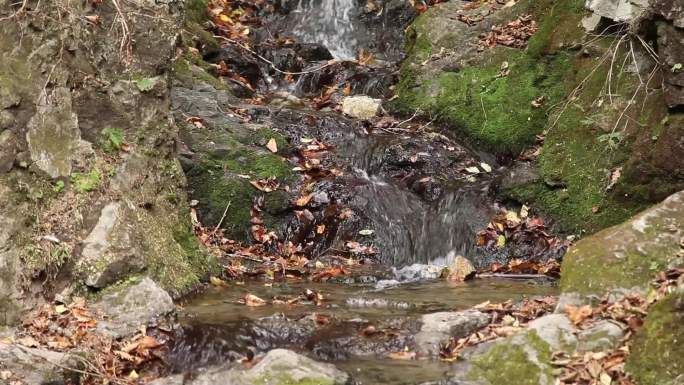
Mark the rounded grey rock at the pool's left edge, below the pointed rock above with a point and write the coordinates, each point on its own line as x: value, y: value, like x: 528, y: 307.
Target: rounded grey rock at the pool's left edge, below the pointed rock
x: 135, y: 304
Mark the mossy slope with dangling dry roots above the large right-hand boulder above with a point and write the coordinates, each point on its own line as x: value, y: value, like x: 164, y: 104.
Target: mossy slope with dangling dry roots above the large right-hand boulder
x: 602, y: 154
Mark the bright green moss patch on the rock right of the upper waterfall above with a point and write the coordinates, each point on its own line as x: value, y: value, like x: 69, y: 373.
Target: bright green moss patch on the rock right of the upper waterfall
x: 497, y: 112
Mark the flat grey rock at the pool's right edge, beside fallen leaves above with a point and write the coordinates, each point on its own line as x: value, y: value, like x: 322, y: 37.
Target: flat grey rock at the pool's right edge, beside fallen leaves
x: 439, y: 327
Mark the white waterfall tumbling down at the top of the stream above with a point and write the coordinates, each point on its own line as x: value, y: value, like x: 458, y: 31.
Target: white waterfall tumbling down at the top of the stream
x: 330, y: 23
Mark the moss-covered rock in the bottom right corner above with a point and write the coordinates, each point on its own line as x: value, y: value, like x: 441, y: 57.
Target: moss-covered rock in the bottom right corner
x: 658, y: 348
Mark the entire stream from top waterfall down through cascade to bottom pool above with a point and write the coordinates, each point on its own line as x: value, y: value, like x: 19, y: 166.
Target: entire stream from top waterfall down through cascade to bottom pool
x: 408, y: 188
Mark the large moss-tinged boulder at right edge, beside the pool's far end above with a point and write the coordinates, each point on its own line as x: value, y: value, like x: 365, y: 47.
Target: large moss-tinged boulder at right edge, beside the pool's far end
x: 627, y: 255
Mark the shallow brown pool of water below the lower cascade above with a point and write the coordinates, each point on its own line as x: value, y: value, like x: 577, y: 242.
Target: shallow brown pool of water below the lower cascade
x: 355, y: 327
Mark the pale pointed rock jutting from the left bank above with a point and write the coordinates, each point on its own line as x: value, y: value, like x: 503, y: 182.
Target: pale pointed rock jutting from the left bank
x: 112, y: 249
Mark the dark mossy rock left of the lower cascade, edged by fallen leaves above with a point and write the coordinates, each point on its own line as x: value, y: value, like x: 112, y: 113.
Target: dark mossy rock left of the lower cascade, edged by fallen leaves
x: 219, y: 177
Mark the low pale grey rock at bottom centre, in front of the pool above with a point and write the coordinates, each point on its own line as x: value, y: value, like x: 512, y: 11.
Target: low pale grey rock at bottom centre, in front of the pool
x: 279, y: 366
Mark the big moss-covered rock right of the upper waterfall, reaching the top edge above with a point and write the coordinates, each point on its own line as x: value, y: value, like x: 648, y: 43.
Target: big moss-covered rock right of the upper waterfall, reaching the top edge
x: 447, y: 76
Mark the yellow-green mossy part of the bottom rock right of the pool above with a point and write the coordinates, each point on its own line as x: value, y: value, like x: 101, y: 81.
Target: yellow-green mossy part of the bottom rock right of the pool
x: 519, y: 362
